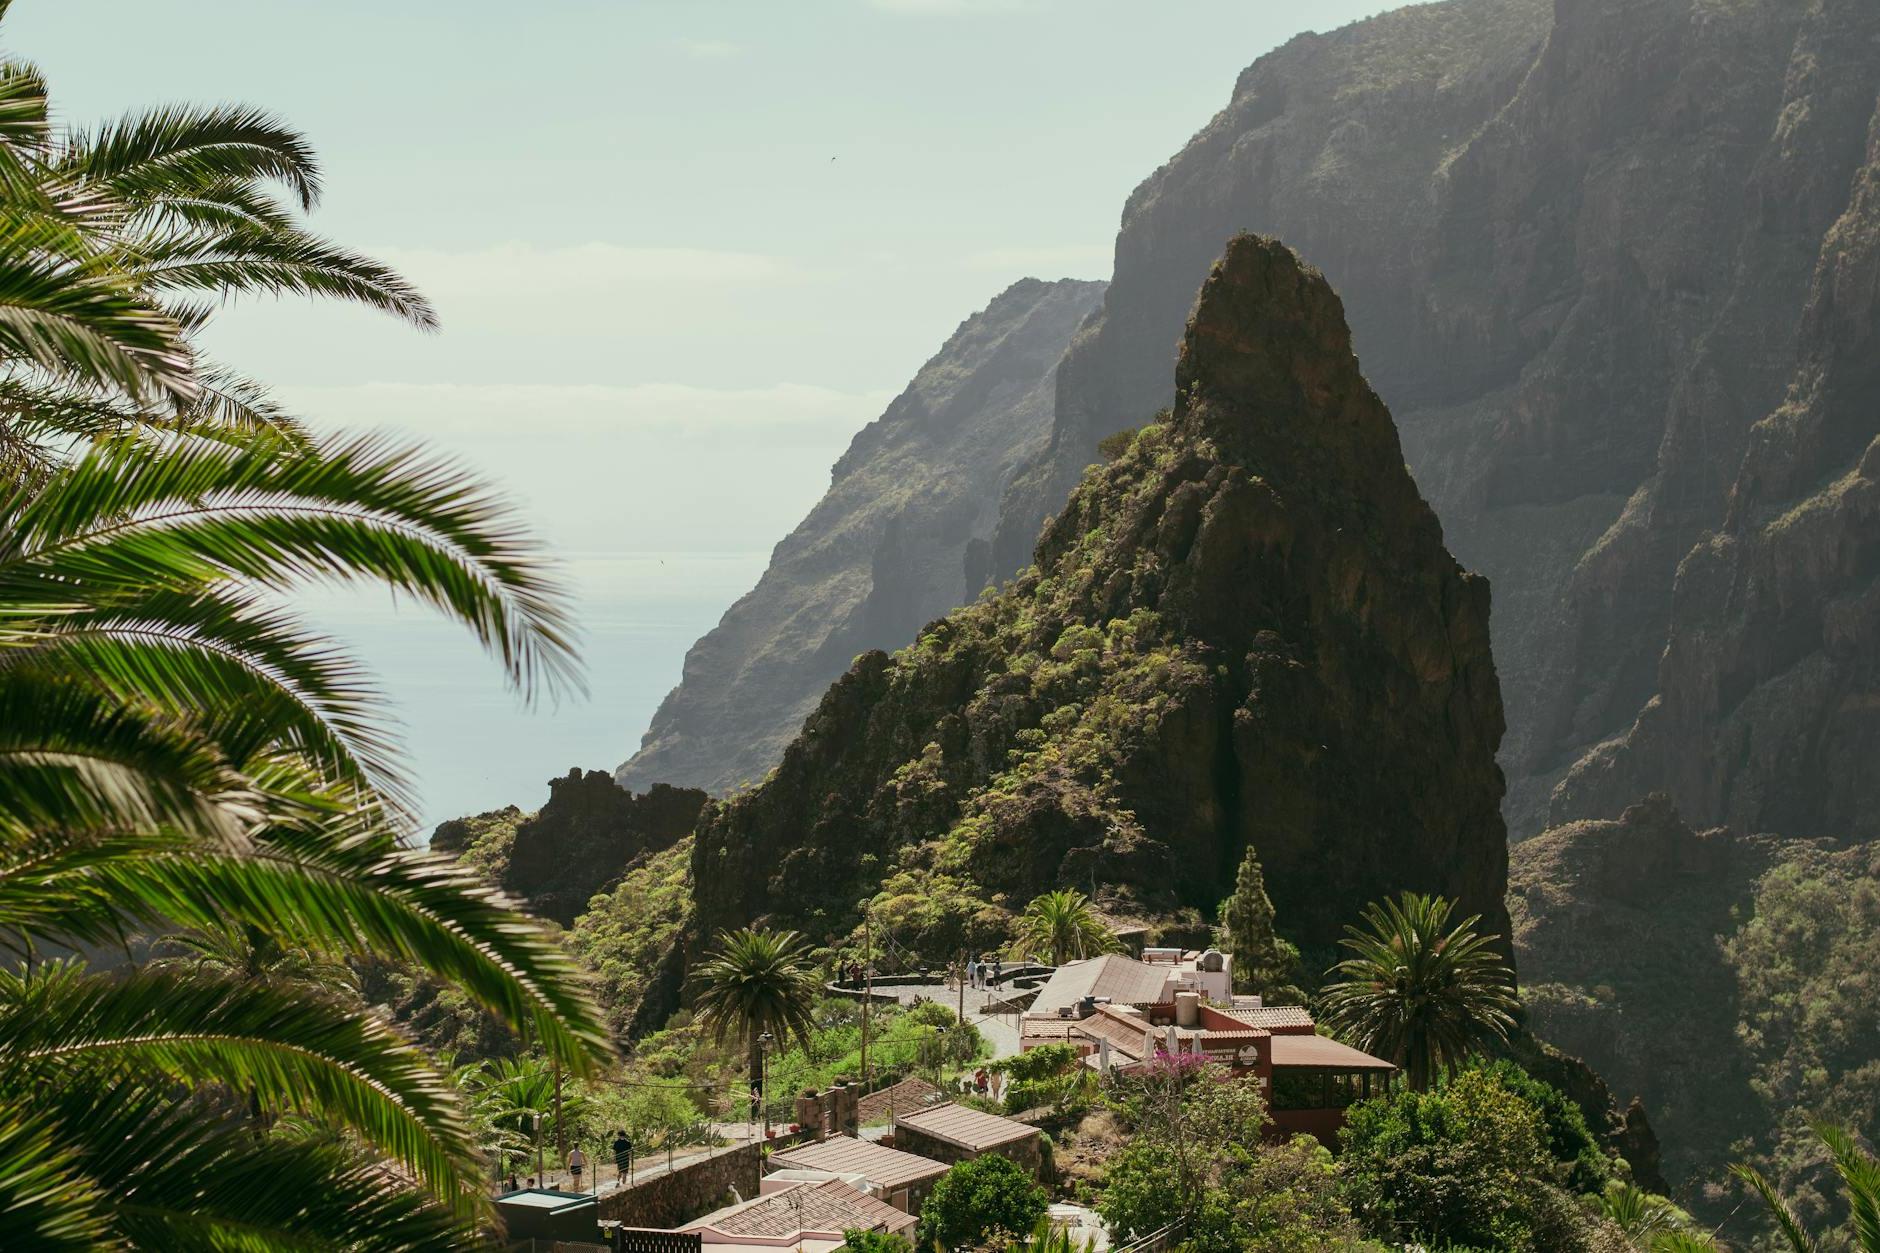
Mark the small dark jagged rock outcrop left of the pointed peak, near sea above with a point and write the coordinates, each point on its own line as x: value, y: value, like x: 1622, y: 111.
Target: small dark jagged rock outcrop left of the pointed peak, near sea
x: 582, y: 842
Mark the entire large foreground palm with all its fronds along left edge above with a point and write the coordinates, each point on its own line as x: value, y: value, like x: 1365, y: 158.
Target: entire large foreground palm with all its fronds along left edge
x: 178, y: 752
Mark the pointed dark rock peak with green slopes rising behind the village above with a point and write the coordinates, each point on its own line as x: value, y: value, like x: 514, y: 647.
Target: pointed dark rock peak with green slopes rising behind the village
x: 1244, y: 631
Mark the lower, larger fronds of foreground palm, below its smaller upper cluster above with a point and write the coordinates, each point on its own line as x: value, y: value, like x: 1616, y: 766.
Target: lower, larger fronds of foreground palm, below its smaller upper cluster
x: 176, y: 752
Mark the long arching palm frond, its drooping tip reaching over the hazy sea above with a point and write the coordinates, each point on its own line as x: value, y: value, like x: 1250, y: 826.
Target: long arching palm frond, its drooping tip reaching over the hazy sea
x: 121, y: 520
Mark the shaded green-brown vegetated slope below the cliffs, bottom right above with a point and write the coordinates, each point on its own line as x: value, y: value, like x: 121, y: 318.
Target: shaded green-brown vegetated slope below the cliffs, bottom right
x: 1729, y: 981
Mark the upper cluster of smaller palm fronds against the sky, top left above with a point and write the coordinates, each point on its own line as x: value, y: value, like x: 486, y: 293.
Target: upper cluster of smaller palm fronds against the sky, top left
x: 119, y: 246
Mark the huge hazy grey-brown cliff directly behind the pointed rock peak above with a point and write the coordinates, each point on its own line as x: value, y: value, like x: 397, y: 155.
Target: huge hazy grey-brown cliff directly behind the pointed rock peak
x: 1576, y: 240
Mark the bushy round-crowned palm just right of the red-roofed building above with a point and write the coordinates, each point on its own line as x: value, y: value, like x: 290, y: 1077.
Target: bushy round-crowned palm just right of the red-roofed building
x: 1420, y: 992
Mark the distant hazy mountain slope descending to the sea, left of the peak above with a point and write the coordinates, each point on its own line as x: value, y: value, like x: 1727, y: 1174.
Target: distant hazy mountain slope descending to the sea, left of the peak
x: 900, y: 539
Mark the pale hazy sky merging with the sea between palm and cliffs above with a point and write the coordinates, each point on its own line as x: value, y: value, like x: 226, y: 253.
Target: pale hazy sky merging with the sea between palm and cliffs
x: 681, y: 253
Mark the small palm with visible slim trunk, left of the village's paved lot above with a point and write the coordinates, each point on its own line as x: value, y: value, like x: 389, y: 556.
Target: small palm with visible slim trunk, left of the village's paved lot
x: 759, y: 983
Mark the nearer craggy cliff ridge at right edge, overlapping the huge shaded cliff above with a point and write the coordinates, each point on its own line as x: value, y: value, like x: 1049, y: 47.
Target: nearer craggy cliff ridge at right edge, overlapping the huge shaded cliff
x: 1768, y: 705
